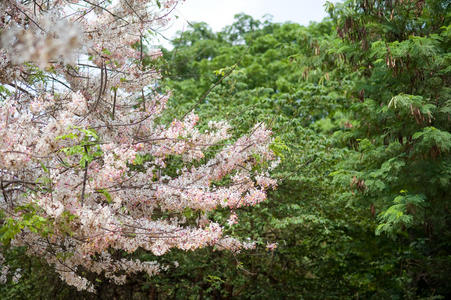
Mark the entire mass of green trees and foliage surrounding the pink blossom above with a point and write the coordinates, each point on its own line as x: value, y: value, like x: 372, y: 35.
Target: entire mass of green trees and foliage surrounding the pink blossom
x: 360, y: 108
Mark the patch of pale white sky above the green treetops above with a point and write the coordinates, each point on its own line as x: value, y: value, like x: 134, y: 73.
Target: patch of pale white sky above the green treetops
x: 219, y: 13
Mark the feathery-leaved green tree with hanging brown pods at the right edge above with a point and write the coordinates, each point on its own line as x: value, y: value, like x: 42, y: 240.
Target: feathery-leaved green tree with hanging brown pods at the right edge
x: 399, y: 54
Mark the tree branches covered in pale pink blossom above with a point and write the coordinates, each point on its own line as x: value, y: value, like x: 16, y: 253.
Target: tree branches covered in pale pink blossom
x: 86, y: 169
